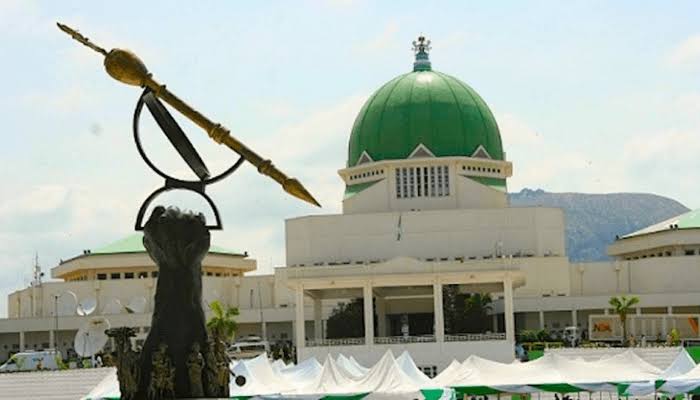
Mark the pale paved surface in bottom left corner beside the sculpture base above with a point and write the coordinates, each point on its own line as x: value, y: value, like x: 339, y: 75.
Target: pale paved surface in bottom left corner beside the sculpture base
x: 50, y: 385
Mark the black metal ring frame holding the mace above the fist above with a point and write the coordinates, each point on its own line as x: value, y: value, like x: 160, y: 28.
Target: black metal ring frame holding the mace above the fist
x: 184, y: 147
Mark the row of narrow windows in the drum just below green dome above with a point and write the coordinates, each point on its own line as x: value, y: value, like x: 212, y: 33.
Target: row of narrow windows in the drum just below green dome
x: 431, y: 181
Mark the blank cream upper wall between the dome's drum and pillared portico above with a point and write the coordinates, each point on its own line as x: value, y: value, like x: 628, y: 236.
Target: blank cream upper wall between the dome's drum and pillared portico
x: 436, y: 234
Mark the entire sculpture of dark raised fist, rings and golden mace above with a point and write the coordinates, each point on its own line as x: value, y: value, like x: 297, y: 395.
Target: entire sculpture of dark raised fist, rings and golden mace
x: 178, y: 358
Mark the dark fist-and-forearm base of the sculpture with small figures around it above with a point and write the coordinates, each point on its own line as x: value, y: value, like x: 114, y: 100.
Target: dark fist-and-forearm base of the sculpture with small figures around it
x: 178, y: 359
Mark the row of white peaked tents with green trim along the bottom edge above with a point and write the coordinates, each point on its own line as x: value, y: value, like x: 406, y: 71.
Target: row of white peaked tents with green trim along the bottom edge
x: 399, y: 378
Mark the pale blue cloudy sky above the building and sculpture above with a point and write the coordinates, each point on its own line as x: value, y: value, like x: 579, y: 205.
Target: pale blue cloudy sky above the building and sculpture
x: 594, y: 97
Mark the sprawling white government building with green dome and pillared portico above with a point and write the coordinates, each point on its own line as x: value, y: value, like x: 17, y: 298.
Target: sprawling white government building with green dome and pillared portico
x: 425, y: 206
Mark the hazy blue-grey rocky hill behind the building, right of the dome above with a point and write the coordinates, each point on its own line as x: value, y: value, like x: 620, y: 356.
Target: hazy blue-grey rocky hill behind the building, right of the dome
x: 593, y: 220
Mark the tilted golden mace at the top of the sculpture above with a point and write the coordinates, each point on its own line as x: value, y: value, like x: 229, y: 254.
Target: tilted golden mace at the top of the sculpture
x: 126, y: 67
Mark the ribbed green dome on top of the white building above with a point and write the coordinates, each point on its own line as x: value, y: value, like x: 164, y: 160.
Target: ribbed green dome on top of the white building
x: 424, y: 107
